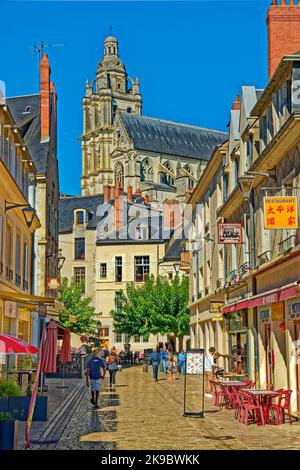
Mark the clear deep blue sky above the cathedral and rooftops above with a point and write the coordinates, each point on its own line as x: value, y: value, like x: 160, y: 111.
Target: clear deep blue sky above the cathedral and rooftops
x: 191, y: 57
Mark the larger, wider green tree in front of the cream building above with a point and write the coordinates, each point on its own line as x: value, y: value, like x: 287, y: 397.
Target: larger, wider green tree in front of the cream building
x: 157, y: 306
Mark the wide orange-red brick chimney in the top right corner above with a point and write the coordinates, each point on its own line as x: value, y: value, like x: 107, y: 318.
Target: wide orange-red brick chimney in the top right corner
x: 283, y: 22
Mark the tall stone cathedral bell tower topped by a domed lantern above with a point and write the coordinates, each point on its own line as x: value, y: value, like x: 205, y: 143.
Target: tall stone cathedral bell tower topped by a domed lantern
x: 106, y: 94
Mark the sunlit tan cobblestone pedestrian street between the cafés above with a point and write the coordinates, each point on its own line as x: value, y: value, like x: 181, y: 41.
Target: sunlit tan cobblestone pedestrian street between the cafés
x: 141, y: 414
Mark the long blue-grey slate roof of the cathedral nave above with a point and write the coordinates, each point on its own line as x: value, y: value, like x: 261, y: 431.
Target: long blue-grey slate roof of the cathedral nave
x: 156, y: 135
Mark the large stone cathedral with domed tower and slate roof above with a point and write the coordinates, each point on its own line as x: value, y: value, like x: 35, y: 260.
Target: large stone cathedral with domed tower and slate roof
x: 161, y: 158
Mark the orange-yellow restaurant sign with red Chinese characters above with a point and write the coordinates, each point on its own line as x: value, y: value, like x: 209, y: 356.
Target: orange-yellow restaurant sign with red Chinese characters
x: 280, y: 212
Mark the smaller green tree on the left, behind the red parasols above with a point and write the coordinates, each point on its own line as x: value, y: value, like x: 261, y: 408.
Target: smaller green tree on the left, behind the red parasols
x: 78, y: 306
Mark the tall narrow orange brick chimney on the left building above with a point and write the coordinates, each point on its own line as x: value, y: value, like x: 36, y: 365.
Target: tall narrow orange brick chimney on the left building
x: 45, y: 97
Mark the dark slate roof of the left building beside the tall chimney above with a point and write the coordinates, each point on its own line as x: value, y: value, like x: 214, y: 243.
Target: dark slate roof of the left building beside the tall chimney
x: 29, y: 124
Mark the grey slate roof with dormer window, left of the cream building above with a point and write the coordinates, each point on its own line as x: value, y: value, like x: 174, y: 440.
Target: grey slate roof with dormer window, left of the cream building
x: 69, y: 204
